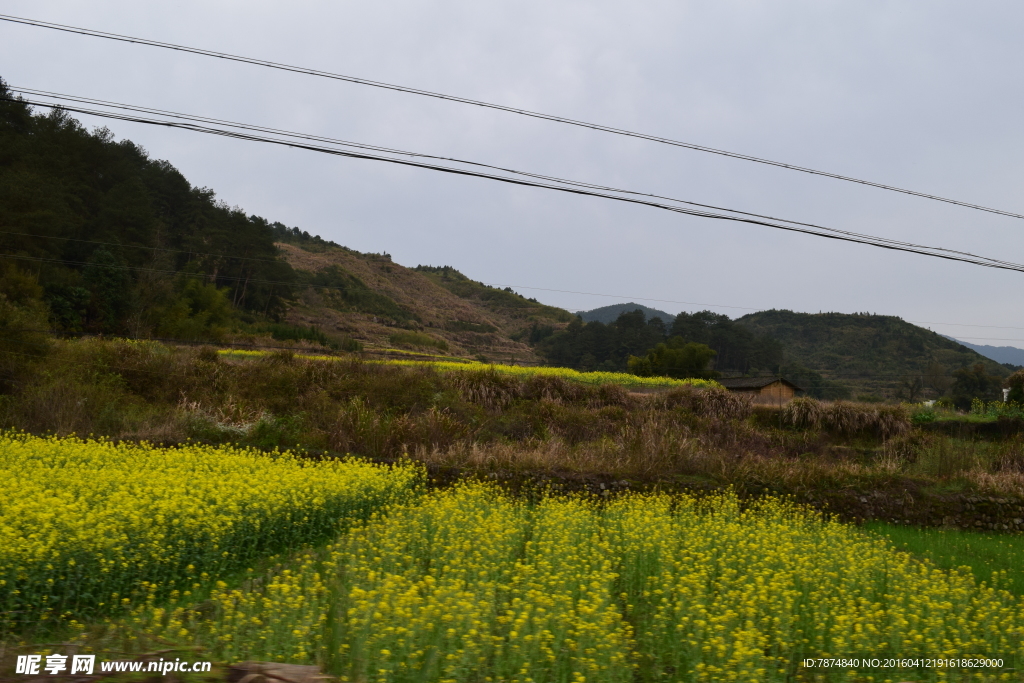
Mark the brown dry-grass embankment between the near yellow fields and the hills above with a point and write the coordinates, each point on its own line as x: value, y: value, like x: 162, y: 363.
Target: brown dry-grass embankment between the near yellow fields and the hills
x: 484, y: 419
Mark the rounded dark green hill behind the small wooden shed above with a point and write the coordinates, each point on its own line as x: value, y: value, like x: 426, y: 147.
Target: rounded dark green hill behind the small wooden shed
x: 874, y: 355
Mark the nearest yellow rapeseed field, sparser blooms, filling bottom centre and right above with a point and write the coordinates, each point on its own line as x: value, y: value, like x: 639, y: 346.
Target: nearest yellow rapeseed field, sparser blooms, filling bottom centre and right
x: 468, y: 585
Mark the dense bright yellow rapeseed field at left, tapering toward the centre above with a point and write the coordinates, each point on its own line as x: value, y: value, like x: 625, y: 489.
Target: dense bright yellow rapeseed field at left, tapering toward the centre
x: 86, y: 525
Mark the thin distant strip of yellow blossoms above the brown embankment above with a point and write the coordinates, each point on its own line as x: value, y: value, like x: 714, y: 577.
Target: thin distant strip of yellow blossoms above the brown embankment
x: 594, y: 378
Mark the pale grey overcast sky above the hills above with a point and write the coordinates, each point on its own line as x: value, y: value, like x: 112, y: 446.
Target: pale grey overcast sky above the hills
x: 922, y: 96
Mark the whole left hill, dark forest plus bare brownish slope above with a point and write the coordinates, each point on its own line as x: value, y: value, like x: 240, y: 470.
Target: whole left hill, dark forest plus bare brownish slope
x: 98, y: 238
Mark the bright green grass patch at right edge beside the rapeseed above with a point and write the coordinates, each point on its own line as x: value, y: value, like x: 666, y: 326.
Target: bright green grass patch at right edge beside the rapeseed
x: 987, y: 554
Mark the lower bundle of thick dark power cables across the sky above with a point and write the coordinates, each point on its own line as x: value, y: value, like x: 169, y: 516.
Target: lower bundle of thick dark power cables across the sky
x: 833, y: 234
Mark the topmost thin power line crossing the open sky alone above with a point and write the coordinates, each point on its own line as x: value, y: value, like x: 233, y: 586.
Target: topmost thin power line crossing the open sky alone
x: 501, y: 108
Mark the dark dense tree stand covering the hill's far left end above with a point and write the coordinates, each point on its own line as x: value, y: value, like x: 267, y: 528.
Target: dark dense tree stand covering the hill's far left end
x: 121, y: 243
